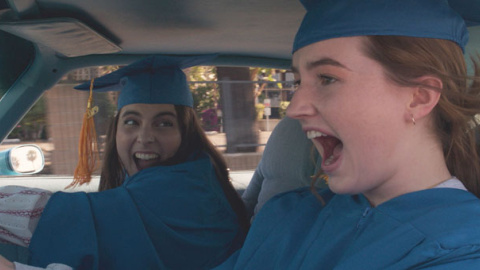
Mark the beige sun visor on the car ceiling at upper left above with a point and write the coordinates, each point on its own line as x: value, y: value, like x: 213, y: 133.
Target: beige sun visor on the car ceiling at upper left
x: 66, y: 36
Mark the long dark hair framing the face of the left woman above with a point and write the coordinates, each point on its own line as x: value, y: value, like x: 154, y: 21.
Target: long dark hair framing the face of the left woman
x: 193, y: 140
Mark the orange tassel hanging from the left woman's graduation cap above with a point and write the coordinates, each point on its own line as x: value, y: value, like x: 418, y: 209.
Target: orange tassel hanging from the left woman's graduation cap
x: 87, y: 146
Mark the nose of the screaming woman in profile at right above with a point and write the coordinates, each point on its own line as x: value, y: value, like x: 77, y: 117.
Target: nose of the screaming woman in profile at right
x: 301, y: 105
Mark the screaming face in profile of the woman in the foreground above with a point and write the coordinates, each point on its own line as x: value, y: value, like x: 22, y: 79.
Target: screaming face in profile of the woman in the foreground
x: 354, y: 115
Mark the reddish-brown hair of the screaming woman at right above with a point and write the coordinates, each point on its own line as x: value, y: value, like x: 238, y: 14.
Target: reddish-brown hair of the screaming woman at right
x: 408, y: 58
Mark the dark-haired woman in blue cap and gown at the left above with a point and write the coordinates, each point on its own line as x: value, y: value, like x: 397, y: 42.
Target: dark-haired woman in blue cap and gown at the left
x: 165, y: 199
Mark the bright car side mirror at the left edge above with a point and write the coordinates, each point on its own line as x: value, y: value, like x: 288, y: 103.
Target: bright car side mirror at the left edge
x: 23, y: 159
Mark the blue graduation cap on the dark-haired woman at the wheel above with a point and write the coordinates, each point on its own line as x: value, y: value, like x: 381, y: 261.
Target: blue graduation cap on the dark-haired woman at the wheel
x: 152, y: 80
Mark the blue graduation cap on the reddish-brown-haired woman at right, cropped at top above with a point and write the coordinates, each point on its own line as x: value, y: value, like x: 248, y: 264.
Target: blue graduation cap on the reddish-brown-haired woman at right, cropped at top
x: 440, y: 19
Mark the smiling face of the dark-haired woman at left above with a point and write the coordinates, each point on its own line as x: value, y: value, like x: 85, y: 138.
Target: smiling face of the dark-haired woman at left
x: 147, y: 135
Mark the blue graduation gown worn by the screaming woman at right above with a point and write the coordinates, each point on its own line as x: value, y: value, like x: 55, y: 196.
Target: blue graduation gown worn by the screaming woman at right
x: 435, y: 228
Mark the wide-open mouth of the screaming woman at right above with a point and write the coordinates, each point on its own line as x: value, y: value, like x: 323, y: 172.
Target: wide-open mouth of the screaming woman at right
x: 332, y: 147
